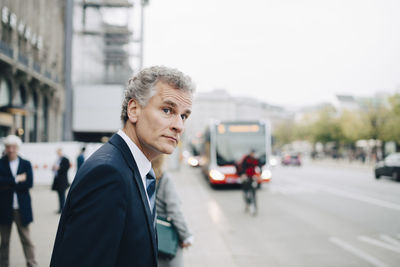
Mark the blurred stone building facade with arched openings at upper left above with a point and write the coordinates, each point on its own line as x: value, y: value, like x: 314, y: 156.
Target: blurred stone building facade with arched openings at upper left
x: 31, y: 69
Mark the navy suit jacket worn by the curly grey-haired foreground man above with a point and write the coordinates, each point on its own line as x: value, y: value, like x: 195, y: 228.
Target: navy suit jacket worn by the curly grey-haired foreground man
x: 106, y: 220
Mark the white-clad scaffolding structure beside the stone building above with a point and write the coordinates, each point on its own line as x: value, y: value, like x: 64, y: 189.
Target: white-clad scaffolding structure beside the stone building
x: 100, y: 66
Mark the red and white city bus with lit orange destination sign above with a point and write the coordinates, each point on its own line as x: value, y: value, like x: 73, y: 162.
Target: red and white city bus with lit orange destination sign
x: 226, y: 143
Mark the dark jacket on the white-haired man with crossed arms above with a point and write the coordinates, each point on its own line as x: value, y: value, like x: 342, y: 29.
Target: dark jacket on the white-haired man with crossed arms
x: 7, y: 188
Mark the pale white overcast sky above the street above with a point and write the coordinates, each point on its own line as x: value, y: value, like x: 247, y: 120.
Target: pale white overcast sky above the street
x: 285, y: 52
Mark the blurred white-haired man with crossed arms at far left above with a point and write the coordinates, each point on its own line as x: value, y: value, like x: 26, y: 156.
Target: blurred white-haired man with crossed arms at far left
x: 16, y: 179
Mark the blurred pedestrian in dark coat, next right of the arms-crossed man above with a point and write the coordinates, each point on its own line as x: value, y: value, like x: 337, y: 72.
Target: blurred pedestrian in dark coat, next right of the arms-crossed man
x: 60, y: 182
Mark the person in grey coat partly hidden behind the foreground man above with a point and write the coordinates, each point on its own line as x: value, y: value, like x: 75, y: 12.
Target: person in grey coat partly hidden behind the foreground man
x: 169, y: 206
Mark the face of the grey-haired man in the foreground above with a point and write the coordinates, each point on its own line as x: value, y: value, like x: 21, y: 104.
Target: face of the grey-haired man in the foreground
x: 160, y: 123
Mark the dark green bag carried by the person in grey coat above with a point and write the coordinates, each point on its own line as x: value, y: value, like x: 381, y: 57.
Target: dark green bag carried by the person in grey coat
x: 167, y: 238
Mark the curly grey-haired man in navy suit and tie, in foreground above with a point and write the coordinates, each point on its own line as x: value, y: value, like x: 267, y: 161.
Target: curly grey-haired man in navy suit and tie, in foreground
x: 108, y: 218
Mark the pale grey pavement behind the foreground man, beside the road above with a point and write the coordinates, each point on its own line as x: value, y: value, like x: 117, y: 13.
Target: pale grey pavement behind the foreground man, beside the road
x: 203, y: 215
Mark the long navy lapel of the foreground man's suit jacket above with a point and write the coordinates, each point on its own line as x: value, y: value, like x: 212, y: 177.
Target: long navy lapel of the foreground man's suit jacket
x: 117, y: 141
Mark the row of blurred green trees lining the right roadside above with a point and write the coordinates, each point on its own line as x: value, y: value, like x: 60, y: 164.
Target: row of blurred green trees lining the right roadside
x: 378, y: 119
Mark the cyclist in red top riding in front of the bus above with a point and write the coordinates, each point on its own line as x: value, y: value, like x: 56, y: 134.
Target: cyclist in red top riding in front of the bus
x: 248, y: 170
